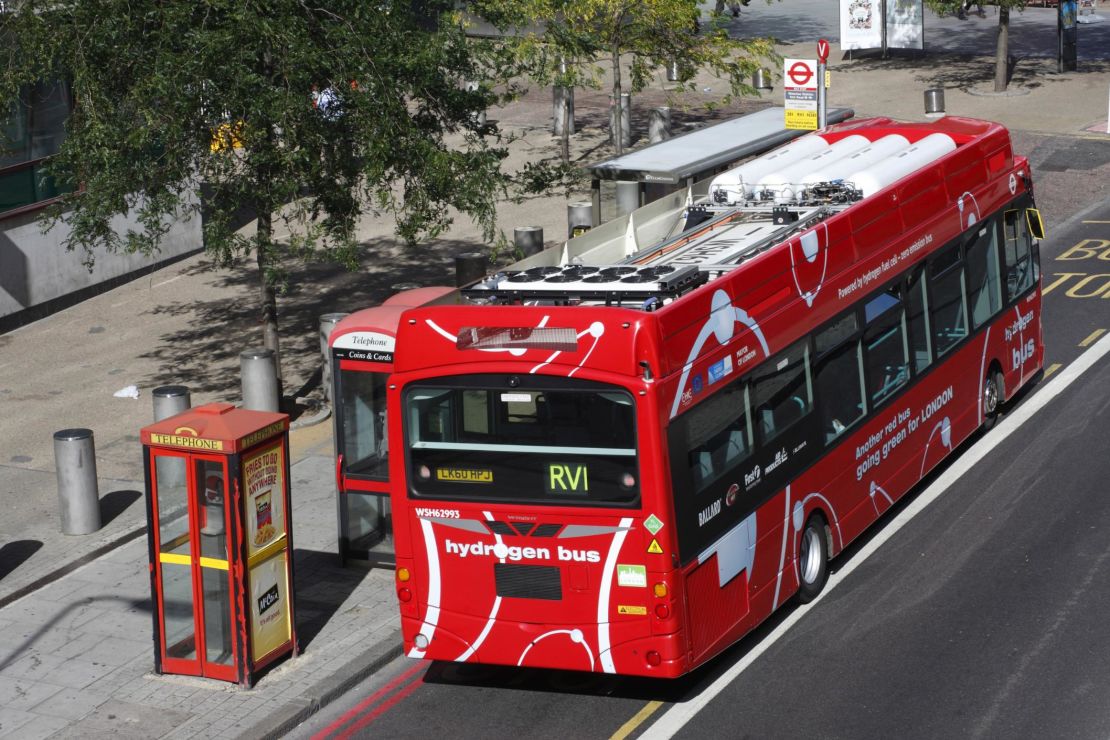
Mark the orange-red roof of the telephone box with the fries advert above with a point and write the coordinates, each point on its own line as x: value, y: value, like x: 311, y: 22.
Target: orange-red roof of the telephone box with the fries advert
x: 220, y: 429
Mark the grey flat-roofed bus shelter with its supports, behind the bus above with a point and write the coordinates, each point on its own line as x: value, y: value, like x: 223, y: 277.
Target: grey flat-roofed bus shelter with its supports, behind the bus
x: 658, y: 170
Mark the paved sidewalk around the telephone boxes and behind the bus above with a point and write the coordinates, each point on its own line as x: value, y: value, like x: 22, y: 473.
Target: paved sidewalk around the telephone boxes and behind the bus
x: 77, y: 655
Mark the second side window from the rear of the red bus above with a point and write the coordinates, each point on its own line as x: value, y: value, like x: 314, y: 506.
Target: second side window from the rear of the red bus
x: 782, y: 391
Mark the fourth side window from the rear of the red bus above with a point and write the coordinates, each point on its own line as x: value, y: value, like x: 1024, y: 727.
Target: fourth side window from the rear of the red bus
x: 886, y: 351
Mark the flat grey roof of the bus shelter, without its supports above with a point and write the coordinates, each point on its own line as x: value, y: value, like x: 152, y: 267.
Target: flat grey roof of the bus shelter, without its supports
x: 704, y: 150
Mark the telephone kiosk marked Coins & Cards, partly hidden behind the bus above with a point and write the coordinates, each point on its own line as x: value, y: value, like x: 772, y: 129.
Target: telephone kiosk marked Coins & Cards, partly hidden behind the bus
x: 362, y: 354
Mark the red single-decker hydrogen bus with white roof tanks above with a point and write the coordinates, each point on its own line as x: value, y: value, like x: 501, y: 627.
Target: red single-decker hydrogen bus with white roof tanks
x: 627, y: 468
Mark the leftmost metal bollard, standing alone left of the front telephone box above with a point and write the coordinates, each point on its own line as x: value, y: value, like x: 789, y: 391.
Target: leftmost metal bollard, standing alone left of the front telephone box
x: 78, y: 498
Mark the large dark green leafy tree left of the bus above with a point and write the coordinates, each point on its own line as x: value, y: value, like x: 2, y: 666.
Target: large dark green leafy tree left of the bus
x: 316, y: 114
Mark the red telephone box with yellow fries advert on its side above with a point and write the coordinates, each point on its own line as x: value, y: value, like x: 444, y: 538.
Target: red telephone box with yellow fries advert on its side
x: 221, y: 552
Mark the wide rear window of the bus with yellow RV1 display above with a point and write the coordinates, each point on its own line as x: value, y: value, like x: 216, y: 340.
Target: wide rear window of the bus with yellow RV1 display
x: 554, y: 441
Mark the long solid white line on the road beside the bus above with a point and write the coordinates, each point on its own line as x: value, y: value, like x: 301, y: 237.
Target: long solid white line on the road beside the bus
x: 681, y: 714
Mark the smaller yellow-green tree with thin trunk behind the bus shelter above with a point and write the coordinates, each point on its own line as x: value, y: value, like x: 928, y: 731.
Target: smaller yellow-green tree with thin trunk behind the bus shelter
x: 651, y: 34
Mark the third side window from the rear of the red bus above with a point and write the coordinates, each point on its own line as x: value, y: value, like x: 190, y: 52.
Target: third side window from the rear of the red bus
x: 840, y: 377
